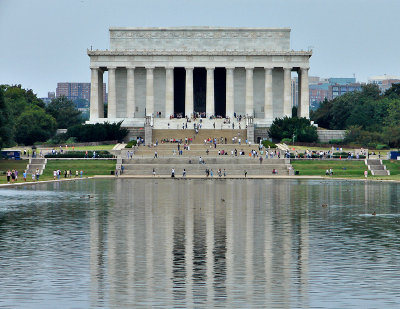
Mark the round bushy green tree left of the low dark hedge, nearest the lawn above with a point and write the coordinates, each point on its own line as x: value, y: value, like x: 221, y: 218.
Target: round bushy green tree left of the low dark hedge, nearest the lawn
x: 34, y: 125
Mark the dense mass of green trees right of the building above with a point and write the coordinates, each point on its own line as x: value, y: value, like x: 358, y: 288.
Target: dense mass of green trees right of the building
x: 370, y: 118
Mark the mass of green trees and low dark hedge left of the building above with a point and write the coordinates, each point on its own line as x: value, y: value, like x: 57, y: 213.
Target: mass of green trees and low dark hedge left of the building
x: 25, y: 120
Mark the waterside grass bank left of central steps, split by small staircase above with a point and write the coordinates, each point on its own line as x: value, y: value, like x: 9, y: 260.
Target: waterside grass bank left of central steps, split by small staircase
x: 89, y: 167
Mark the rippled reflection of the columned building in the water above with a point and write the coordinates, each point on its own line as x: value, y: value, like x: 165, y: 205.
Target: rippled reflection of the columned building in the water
x: 200, y: 243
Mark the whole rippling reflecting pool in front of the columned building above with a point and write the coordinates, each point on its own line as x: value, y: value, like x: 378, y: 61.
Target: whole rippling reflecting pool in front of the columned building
x: 200, y: 243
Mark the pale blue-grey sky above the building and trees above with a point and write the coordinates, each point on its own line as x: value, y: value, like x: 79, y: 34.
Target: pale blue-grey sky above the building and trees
x: 43, y: 42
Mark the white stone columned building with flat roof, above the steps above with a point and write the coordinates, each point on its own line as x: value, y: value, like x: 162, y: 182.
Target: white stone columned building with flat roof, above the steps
x: 226, y: 72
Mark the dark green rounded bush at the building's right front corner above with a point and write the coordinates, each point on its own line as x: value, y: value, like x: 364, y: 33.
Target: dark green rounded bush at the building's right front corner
x: 286, y: 127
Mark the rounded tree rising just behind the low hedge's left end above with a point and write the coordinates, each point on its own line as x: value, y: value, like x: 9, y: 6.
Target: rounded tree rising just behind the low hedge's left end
x: 64, y: 112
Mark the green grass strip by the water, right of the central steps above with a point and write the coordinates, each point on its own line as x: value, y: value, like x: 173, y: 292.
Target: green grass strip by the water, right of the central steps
x: 341, y: 168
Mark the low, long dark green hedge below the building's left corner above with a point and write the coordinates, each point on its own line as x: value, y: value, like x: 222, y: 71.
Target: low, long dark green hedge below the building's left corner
x: 98, y: 132
